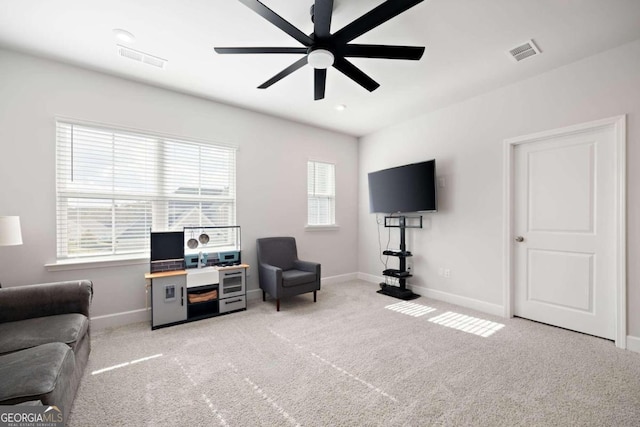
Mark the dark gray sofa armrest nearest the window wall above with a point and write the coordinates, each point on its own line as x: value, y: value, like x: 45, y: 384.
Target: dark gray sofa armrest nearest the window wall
x: 45, y: 299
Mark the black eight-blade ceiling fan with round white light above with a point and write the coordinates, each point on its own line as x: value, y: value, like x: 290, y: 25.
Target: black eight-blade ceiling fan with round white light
x: 321, y: 49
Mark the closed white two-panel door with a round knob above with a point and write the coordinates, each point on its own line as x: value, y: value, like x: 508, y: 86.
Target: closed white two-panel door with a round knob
x: 565, y: 227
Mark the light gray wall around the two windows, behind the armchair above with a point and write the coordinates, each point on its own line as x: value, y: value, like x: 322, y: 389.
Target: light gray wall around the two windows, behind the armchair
x: 271, y: 171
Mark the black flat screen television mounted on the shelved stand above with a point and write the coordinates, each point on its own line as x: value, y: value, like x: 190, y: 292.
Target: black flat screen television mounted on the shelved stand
x: 408, y: 188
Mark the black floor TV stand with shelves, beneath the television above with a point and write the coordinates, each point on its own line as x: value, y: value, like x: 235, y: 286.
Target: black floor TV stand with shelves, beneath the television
x: 400, y: 291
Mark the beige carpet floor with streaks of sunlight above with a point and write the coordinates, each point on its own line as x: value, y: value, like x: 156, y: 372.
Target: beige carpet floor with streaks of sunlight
x: 356, y: 358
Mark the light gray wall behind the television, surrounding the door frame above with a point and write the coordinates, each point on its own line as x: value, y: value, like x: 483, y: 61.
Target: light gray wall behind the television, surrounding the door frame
x: 466, y: 235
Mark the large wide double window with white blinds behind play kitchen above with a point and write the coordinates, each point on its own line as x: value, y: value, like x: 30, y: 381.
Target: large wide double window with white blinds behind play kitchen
x: 115, y: 186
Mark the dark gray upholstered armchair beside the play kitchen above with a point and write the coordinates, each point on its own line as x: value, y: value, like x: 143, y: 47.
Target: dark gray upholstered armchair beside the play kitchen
x: 281, y: 273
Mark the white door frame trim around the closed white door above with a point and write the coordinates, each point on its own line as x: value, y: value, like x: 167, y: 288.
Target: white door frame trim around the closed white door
x: 618, y: 123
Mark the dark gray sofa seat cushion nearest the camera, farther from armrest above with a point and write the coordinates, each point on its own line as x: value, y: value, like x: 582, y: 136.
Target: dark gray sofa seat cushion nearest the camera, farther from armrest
x: 37, y: 373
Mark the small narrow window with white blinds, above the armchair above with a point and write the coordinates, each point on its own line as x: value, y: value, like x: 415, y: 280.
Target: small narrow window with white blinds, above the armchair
x: 321, y: 190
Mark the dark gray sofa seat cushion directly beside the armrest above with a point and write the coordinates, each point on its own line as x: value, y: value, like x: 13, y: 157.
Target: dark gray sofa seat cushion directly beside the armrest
x: 22, y: 334
